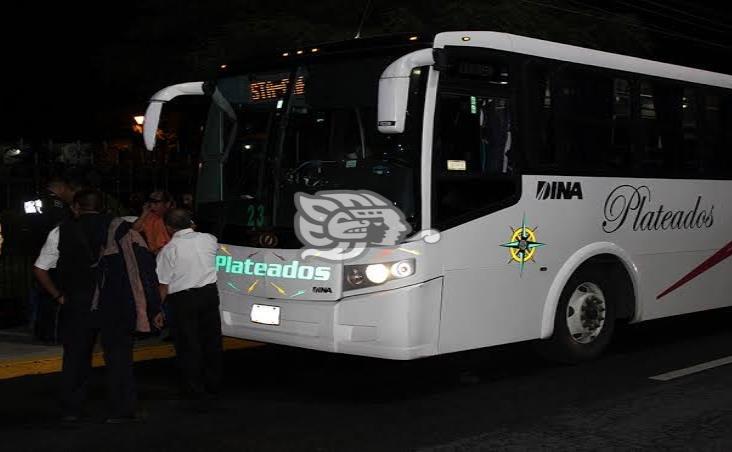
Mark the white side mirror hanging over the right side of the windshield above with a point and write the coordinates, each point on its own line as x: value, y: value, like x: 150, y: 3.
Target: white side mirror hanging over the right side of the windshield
x: 394, y: 90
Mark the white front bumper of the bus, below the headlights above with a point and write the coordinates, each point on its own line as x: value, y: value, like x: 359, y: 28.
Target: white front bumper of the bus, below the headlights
x: 400, y: 323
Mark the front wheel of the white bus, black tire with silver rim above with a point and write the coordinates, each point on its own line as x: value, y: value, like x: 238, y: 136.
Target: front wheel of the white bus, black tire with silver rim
x: 585, y: 318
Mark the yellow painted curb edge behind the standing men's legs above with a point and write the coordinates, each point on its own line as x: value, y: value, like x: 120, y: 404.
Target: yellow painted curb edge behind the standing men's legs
x: 51, y: 364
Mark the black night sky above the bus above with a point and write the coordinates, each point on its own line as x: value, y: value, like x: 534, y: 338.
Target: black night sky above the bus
x: 73, y: 71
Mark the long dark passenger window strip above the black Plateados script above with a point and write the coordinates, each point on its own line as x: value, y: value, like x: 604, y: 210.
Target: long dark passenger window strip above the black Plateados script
x: 590, y: 121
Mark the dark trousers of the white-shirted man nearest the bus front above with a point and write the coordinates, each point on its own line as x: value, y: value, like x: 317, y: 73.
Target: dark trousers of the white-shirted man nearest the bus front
x: 196, y: 328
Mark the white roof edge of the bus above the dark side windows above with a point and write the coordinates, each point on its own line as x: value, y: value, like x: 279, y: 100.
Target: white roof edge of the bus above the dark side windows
x: 581, y: 55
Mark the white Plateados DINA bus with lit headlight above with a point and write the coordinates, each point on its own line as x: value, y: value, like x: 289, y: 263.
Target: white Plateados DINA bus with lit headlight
x: 572, y: 189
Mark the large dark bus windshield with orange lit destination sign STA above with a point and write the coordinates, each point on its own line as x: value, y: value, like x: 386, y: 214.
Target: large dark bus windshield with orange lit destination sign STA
x: 305, y: 128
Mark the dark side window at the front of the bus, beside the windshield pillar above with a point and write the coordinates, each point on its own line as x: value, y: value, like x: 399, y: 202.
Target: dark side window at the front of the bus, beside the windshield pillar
x: 473, y: 155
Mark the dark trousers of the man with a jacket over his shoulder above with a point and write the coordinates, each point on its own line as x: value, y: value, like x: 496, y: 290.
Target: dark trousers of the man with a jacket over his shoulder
x: 80, y: 331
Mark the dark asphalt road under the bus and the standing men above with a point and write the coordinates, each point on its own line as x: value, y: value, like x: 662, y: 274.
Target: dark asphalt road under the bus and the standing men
x: 504, y: 398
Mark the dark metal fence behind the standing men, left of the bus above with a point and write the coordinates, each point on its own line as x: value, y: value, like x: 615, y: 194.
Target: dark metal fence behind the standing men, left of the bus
x: 121, y: 169
